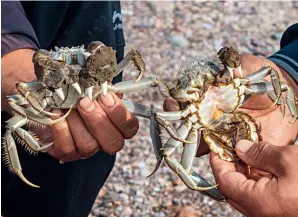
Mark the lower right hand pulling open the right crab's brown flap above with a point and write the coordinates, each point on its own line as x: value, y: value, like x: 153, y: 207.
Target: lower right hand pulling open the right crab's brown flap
x: 274, y: 194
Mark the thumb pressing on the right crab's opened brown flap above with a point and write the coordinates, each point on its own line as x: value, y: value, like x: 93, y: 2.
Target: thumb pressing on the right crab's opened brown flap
x: 262, y: 155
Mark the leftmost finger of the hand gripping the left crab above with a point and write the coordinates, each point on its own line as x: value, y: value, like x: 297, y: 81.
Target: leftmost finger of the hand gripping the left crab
x: 64, y: 144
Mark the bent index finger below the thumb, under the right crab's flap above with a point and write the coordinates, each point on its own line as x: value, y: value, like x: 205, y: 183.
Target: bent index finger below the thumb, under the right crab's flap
x: 233, y: 185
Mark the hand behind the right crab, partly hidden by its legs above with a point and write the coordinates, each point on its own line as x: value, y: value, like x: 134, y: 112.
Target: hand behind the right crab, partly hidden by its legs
x: 273, y: 128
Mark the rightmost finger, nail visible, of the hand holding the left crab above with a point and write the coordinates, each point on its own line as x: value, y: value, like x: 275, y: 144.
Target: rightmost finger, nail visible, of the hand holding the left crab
x: 124, y: 121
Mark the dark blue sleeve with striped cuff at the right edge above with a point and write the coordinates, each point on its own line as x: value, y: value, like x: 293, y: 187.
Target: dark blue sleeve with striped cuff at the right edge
x: 287, y: 56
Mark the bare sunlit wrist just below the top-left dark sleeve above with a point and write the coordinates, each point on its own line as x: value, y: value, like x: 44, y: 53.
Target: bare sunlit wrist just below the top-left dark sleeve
x: 16, y: 66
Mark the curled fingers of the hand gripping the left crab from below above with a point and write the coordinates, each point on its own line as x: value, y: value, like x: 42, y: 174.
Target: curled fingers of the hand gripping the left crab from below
x: 102, y: 124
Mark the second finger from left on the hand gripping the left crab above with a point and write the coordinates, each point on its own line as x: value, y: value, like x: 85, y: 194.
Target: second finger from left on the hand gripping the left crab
x: 86, y: 144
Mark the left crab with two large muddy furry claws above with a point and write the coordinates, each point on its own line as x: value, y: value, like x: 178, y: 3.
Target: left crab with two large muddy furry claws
x: 64, y: 76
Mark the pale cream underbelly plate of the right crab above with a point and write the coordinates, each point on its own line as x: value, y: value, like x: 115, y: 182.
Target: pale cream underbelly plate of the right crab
x: 218, y: 103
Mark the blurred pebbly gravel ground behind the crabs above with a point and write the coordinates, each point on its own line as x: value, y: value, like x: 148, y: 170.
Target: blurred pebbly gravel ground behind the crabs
x: 167, y: 33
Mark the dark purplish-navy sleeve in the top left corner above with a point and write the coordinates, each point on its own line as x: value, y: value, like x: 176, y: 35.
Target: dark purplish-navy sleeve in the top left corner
x: 16, y: 30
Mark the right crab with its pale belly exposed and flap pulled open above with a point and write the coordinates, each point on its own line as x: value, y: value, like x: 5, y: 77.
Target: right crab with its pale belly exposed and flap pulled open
x: 211, y: 98
